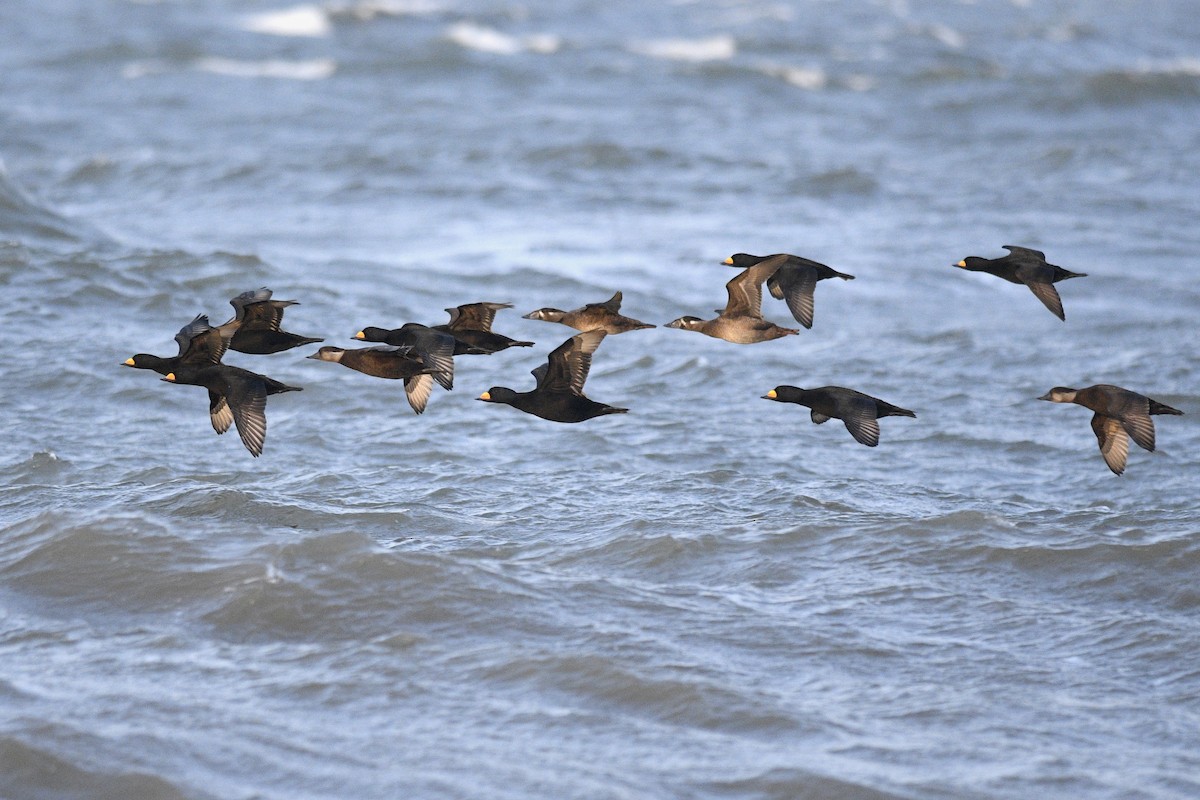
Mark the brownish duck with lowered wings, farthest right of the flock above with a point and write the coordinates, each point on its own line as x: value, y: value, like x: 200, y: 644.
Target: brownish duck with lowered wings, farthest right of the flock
x: 1120, y: 416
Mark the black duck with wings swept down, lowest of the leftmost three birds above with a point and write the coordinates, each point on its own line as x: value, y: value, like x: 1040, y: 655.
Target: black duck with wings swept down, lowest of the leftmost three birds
x: 236, y: 396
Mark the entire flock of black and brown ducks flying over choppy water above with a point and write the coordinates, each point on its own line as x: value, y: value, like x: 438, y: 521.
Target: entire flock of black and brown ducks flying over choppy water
x: 422, y: 356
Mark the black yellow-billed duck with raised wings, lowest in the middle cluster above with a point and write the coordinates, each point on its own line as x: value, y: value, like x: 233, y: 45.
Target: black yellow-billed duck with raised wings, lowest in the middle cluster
x: 559, y: 395
